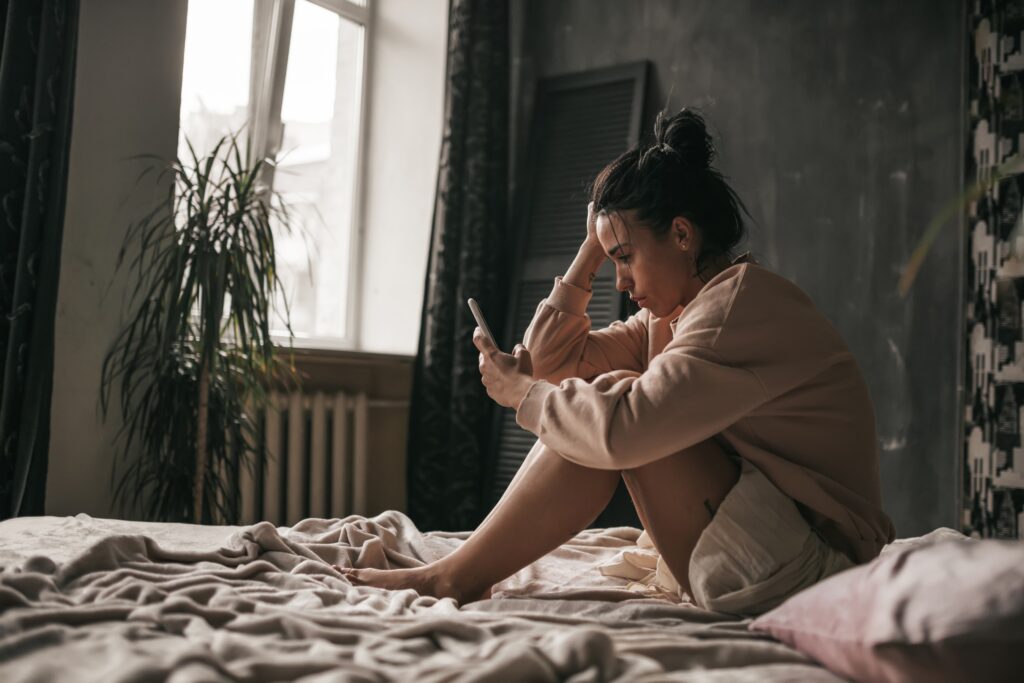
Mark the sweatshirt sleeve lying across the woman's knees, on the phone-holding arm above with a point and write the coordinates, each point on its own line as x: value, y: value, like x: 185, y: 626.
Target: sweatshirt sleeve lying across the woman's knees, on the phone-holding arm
x: 624, y: 420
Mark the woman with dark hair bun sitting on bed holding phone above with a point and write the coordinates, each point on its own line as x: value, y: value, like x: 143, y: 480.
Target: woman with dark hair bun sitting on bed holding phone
x: 732, y: 408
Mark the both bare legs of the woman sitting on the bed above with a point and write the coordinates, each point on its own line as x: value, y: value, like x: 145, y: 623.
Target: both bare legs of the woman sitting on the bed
x: 552, y: 499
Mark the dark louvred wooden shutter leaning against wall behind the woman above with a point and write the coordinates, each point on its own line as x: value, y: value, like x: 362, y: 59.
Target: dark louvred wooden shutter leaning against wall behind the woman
x: 581, y: 123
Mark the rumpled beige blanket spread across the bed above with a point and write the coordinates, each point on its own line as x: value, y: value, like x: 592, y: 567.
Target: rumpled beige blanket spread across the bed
x: 86, y: 600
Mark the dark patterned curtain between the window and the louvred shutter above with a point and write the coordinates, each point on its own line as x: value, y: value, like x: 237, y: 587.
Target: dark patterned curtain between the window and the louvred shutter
x: 451, y: 413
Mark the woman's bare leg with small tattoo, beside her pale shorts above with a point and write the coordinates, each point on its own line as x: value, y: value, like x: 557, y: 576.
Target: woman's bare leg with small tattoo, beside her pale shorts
x: 676, y: 497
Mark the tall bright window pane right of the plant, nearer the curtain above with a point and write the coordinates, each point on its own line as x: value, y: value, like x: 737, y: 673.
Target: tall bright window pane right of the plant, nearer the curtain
x: 317, y: 167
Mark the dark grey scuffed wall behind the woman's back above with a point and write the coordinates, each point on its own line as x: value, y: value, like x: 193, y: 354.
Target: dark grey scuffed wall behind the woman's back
x: 841, y: 126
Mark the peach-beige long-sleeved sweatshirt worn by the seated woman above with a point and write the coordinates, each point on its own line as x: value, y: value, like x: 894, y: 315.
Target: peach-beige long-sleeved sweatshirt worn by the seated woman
x: 750, y: 361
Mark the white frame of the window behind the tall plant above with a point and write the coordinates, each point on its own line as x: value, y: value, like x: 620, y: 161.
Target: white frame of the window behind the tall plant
x: 268, y: 73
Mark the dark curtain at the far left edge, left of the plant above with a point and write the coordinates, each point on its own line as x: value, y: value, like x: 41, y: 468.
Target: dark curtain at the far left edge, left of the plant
x: 37, y: 58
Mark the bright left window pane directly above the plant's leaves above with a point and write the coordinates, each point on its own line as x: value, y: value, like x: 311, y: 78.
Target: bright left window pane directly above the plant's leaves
x: 216, y: 78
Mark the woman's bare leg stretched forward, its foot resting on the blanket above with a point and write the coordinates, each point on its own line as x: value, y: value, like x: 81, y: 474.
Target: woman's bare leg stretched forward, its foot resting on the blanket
x: 549, y: 501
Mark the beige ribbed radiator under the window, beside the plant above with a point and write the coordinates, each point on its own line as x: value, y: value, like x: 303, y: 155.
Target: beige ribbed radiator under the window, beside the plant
x: 318, y: 456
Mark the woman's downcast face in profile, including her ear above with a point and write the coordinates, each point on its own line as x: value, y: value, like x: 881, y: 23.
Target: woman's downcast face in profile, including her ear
x: 658, y: 272
